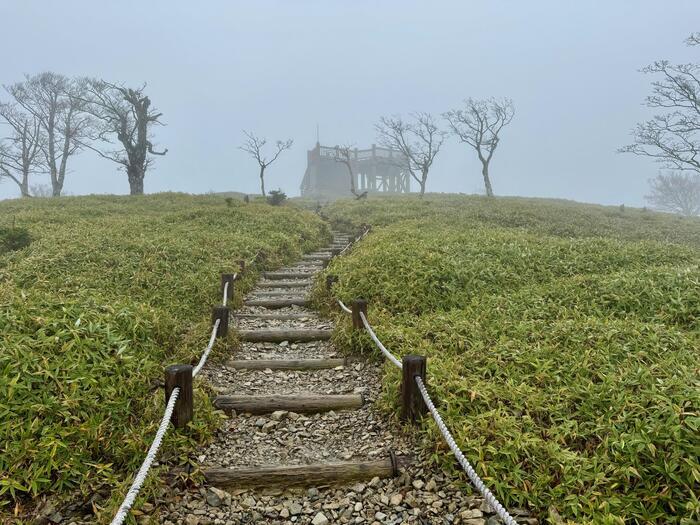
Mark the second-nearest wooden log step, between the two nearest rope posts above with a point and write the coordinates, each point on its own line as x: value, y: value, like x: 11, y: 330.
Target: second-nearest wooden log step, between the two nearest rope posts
x: 301, y: 403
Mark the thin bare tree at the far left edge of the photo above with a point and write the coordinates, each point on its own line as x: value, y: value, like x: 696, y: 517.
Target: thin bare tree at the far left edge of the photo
x: 20, y: 151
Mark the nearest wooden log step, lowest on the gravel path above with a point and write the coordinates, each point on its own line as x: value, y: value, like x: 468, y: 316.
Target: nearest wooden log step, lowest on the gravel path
x: 305, y: 475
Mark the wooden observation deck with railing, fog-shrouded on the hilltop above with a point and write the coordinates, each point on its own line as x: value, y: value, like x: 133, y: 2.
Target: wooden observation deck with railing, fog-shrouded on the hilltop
x: 375, y: 170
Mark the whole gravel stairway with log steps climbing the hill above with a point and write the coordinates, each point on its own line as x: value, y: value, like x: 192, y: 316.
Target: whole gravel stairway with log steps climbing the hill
x: 304, y: 442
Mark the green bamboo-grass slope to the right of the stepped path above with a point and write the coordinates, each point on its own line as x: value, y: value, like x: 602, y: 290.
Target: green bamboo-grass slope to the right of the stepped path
x: 562, y: 343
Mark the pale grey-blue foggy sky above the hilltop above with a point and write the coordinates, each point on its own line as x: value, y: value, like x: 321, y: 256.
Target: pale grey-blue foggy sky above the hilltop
x: 280, y: 67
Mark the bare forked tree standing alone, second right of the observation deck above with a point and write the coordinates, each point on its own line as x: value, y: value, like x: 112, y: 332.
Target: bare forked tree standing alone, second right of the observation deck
x: 479, y: 125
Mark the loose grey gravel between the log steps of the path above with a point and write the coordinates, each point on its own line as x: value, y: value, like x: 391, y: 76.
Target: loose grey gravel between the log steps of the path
x: 421, y: 494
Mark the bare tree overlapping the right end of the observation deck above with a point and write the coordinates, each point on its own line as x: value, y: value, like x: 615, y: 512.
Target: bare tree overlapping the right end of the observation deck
x: 419, y: 142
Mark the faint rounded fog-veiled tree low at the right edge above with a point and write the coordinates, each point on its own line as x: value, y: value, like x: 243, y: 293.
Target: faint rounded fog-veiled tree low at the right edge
x: 676, y: 192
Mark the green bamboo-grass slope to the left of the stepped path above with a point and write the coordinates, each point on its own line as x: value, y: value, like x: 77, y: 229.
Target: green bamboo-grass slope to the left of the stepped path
x: 109, y: 290
